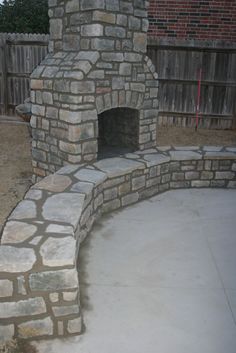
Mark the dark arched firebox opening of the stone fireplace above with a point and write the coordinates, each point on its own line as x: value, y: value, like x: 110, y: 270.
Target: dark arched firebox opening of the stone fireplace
x: 118, y: 132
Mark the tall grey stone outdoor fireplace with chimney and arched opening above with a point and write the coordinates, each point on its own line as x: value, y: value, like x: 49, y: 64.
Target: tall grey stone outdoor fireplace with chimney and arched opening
x: 95, y: 94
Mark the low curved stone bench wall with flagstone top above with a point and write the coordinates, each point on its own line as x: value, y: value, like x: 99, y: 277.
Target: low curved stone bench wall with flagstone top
x: 39, y: 288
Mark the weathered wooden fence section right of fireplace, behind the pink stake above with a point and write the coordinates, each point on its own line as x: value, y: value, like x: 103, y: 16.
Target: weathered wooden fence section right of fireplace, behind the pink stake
x: 178, y: 63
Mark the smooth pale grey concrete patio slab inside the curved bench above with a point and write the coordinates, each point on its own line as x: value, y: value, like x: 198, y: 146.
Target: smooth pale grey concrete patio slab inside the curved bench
x: 159, y: 276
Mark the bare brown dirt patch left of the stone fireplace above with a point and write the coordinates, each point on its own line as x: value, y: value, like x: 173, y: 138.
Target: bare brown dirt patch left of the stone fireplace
x: 15, y: 166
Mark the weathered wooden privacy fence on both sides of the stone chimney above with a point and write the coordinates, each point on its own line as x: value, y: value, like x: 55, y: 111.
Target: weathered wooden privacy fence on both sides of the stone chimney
x: 177, y: 63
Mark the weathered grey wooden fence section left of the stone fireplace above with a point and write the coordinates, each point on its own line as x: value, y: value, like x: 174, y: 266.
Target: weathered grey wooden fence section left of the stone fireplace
x: 19, y: 55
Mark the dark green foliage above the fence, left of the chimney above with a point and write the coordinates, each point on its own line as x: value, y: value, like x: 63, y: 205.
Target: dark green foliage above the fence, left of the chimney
x: 24, y: 16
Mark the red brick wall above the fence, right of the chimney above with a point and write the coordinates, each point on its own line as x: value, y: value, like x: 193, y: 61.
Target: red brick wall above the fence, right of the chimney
x: 198, y: 19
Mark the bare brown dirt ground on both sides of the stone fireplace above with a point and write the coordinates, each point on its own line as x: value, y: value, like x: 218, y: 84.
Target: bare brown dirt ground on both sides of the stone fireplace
x: 15, y: 158
